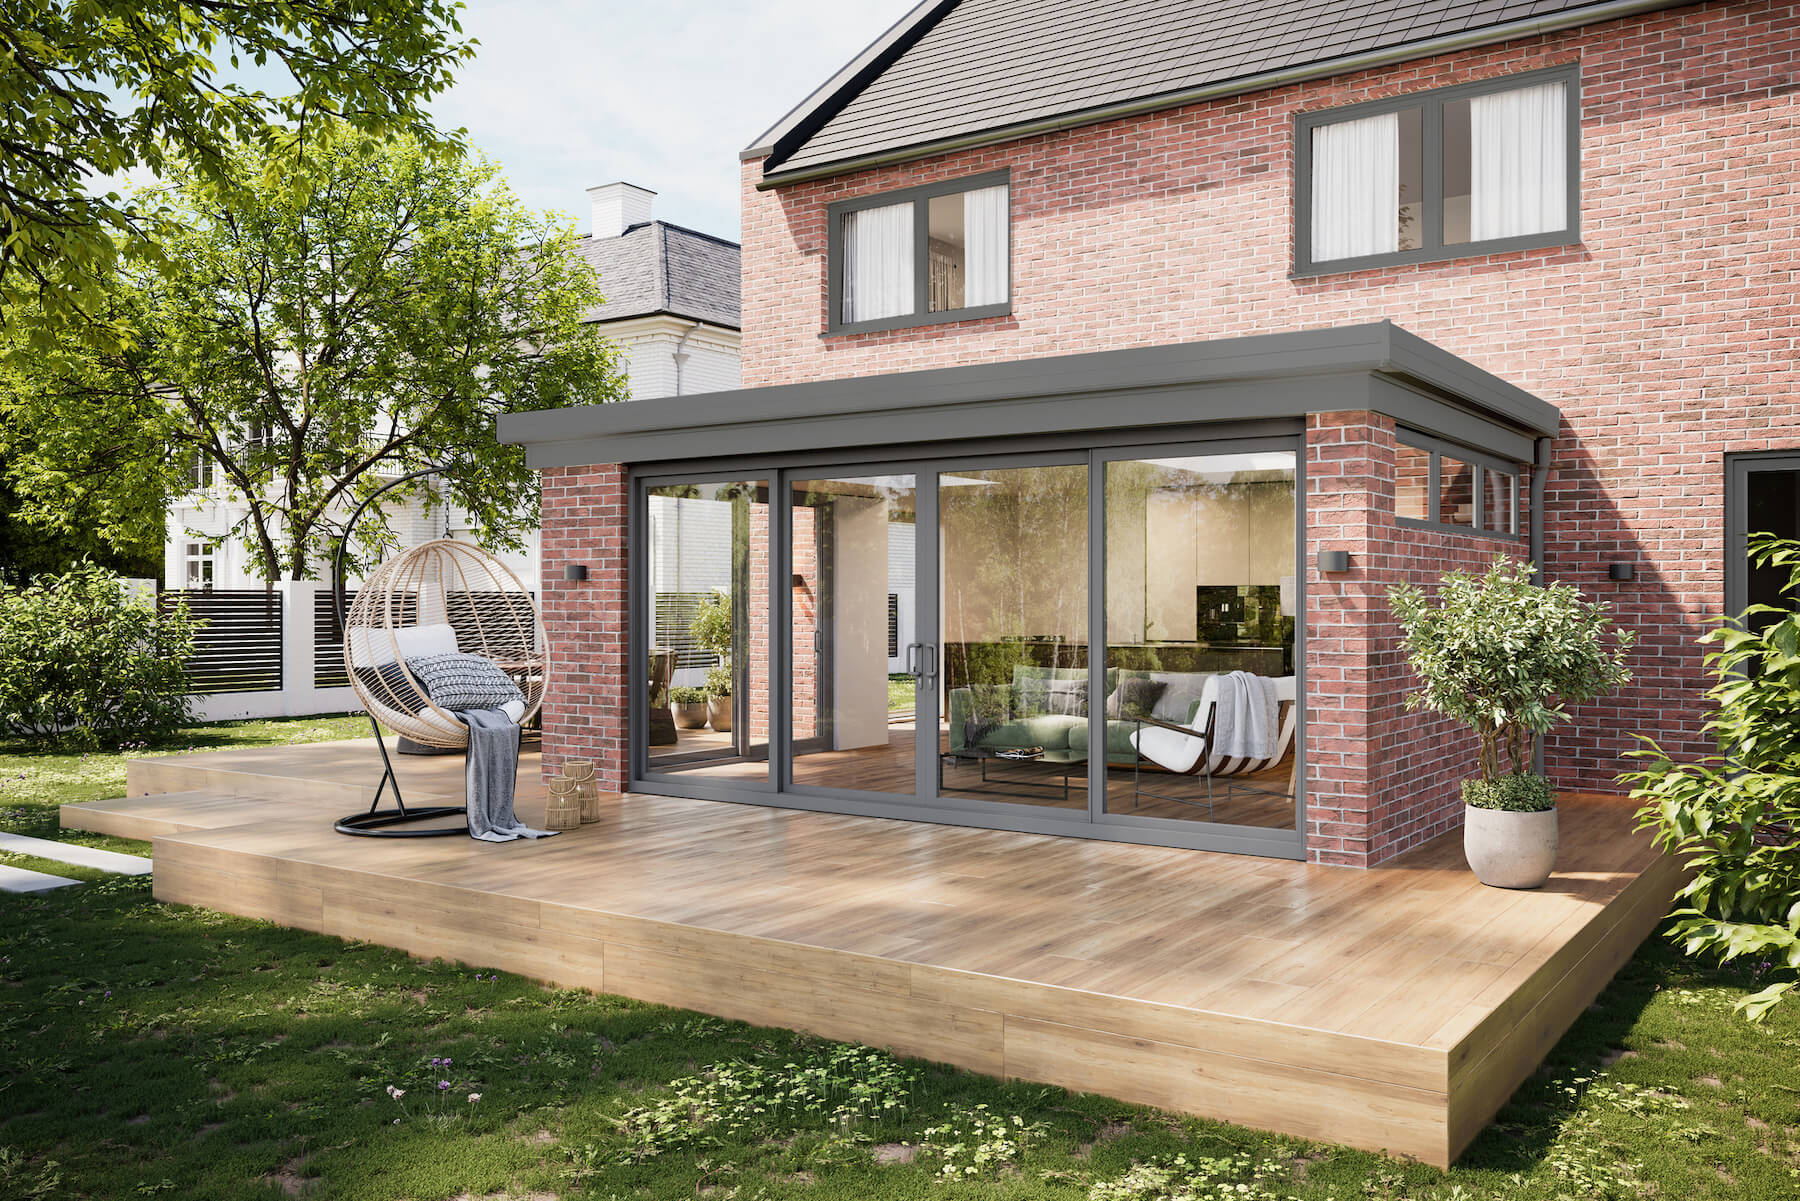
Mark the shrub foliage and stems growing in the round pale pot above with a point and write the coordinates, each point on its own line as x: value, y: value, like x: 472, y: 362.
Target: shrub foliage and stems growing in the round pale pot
x: 1507, y: 658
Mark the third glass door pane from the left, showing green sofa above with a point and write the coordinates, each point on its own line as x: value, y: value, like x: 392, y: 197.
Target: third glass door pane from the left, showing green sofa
x: 1012, y: 568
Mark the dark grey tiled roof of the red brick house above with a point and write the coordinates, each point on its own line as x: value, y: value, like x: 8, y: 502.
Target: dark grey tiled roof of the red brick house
x: 982, y: 71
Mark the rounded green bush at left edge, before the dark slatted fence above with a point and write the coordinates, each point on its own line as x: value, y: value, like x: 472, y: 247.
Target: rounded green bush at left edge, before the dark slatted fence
x: 87, y: 665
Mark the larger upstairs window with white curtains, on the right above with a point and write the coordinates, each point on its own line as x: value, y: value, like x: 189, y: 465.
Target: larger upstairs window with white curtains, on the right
x: 1452, y: 174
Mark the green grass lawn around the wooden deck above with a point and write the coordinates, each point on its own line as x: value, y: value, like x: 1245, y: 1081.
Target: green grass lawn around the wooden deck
x: 156, y: 1051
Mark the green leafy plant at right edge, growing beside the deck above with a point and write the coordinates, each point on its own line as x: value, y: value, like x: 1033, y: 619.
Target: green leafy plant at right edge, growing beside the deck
x: 1734, y: 817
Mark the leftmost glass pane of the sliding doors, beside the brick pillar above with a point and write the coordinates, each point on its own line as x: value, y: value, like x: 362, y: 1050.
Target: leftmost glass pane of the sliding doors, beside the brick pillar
x: 706, y: 611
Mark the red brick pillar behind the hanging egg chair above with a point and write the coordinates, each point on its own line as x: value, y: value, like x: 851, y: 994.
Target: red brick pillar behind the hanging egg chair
x: 586, y: 620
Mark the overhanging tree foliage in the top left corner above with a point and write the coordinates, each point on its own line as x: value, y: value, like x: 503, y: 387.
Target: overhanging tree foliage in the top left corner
x: 100, y: 87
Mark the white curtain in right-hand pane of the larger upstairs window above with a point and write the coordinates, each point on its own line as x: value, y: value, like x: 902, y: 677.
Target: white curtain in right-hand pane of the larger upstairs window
x: 1518, y: 163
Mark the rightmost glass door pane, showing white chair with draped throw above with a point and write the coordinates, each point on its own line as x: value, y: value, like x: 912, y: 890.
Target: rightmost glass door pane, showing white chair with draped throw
x: 1201, y: 597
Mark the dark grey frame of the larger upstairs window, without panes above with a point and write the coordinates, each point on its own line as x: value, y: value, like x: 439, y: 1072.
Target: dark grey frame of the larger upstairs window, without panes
x: 1432, y: 104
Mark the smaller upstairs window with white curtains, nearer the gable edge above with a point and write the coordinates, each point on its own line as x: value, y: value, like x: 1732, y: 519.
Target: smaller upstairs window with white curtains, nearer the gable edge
x: 928, y: 255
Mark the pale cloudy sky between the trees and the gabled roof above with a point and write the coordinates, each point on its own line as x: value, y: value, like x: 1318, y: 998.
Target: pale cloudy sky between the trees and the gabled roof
x: 568, y: 95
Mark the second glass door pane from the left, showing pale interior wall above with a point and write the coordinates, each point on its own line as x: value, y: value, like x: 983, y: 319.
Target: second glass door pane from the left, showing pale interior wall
x: 854, y: 646
